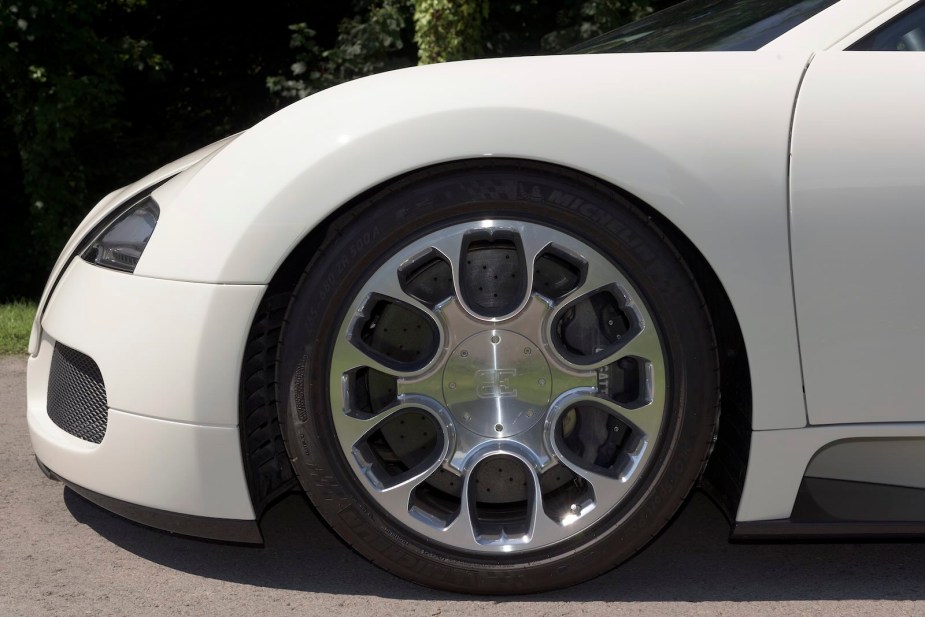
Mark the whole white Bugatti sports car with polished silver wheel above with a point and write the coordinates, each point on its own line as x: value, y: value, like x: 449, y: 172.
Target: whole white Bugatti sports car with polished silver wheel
x: 498, y: 318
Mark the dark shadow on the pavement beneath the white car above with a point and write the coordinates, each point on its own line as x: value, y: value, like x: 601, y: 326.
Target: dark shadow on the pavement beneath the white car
x: 691, y: 562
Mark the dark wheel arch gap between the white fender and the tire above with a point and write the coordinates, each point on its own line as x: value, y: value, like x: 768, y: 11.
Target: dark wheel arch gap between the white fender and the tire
x: 270, y: 475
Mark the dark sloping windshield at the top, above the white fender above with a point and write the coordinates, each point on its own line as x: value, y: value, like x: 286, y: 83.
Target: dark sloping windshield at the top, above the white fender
x: 707, y: 25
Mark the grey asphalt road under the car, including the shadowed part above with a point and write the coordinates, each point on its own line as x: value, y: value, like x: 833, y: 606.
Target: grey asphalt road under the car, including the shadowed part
x: 61, y: 555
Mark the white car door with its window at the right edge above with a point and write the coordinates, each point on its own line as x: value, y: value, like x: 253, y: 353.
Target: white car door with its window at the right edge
x: 858, y: 226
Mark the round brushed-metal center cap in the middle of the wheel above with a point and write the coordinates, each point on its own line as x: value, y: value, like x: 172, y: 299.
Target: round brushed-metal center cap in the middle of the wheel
x: 497, y: 383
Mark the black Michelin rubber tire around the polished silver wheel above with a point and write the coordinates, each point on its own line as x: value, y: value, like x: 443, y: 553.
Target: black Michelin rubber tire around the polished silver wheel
x: 367, y: 234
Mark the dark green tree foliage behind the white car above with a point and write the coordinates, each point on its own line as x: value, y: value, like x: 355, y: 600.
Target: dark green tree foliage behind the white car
x: 98, y: 93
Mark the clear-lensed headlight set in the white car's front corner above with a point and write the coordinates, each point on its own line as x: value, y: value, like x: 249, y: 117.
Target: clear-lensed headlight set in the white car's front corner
x: 121, y: 242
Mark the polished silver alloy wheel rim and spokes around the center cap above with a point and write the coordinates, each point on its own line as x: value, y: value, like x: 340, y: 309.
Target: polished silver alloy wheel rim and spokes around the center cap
x: 461, y: 450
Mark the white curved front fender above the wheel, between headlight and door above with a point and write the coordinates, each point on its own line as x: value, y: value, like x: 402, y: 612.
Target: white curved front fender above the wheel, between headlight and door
x: 703, y: 138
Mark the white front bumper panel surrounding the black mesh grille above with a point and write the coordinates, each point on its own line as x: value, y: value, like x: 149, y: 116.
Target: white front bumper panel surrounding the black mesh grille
x: 170, y: 356
